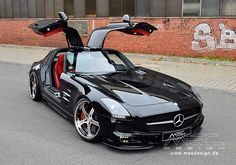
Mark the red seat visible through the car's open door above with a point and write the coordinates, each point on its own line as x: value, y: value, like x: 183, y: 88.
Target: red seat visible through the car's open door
x: 58, y: 69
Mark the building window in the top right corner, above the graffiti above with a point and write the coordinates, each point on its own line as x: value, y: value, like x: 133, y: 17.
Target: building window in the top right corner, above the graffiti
x: 228, y: 8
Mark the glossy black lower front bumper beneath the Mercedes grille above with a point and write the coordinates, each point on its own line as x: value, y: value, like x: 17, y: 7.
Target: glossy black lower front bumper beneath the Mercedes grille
x: 137, y: 140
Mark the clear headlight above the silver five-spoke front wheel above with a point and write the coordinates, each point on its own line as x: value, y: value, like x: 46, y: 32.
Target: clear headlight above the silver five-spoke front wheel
x: 116, y: 109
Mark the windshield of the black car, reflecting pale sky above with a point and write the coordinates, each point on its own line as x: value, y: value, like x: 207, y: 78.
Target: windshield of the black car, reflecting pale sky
x: 99, y: 62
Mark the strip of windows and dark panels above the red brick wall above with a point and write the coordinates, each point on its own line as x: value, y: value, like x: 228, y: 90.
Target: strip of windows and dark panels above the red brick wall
x: 116, y: 8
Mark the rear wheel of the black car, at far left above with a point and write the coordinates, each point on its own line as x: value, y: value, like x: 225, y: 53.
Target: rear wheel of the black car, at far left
x: 34, y: 88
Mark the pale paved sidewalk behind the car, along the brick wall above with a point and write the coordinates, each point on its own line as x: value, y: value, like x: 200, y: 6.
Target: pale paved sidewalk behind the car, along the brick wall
x: 197, y: 72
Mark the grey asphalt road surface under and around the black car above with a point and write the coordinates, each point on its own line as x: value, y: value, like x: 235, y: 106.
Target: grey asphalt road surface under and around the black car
x: 31, y: 133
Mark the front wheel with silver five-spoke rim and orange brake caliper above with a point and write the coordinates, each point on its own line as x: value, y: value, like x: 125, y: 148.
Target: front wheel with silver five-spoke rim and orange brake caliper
x: 86, y: 122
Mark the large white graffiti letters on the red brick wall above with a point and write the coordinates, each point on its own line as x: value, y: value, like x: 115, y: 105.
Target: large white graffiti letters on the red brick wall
x: 205, y: 41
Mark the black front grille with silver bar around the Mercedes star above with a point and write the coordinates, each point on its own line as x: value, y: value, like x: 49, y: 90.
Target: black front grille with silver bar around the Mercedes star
x: 164, y: 122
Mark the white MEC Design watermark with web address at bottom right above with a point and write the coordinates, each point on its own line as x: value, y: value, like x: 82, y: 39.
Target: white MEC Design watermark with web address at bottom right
x: 198, y: 144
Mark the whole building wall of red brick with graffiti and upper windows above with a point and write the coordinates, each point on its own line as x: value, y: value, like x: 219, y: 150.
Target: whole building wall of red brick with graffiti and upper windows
x: 185, y: 27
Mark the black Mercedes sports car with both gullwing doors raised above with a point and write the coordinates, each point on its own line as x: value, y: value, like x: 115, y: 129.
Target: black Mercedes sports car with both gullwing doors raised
x: 109, y: 98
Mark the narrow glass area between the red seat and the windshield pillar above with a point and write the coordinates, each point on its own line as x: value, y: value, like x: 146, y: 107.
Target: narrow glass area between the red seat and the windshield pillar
x: 70, y: 62
